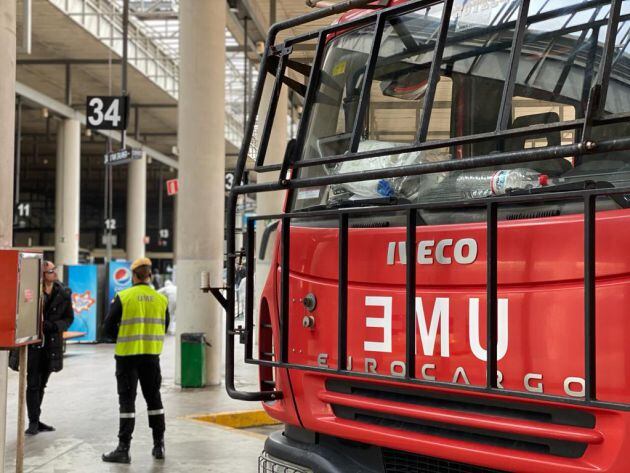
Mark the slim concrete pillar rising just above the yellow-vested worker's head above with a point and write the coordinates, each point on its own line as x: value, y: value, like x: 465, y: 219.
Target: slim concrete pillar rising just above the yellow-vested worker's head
x: 136, y: 208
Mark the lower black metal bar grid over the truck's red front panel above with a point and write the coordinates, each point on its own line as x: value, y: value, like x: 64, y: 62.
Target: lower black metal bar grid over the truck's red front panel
x: 588, y: 196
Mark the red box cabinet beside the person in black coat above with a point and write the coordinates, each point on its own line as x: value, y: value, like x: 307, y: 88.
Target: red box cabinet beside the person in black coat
x: 20, y: 298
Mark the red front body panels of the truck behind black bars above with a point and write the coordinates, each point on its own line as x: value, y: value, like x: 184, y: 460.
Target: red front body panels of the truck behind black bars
x: 542, y: 326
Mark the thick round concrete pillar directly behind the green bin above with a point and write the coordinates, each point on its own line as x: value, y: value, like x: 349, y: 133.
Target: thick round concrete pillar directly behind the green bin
x: 200, y: 201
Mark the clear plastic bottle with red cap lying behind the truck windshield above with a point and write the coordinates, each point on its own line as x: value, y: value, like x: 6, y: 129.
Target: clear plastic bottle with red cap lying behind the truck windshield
x: 479, y: 184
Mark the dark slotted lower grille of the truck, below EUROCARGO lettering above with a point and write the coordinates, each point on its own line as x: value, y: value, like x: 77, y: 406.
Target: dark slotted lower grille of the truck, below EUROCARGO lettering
x: 512, y: 411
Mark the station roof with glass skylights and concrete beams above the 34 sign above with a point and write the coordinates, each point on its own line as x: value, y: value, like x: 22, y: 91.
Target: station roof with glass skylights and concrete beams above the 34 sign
x: 76, y: 51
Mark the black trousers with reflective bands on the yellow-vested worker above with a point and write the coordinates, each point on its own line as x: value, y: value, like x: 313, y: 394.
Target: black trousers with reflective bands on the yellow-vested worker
x: 146, y: 370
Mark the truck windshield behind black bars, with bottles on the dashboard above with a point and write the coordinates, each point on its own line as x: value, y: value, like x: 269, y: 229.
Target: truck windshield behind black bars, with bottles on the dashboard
x: 555, y: 71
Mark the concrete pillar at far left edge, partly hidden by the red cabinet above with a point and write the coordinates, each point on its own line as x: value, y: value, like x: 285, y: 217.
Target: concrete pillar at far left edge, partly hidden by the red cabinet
x: 7, y: 124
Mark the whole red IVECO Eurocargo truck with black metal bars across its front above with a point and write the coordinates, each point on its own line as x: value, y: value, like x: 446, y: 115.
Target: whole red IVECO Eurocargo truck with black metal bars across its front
x: 450, y: 281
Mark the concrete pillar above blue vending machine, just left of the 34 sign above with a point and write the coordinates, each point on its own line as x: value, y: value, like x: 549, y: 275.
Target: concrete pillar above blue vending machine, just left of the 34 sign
x: 68, y: 192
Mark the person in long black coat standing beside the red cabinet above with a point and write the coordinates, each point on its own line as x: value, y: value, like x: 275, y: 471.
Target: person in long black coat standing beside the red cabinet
x: 48, y: 357
